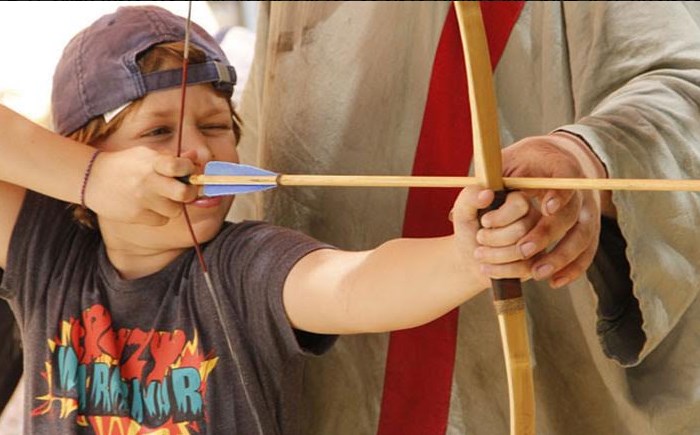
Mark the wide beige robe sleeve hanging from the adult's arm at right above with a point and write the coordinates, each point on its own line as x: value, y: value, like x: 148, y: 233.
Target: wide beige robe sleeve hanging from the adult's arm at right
x: 635, y: 73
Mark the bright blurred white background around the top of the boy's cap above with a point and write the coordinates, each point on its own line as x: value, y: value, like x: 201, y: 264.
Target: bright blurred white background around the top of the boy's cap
x: 34, y: 35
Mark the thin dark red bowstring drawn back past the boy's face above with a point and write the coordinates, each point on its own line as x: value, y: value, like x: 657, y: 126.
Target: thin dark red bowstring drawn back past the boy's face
x: 197, y: 246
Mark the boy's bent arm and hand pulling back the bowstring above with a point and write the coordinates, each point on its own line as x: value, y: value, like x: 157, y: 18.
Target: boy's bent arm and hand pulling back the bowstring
x: 134, y: 185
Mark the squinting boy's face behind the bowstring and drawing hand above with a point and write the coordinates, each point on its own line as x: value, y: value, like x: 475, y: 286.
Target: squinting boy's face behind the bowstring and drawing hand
x: 207, y: 135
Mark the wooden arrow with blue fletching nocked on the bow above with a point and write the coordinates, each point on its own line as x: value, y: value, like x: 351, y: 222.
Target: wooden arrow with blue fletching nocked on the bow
x: 224, y: 178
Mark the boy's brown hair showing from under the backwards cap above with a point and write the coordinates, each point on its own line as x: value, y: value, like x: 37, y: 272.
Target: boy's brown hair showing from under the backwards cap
x: 158, y: 58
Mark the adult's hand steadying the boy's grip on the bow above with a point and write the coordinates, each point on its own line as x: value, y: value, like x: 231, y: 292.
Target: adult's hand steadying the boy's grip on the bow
x: 563, y: 242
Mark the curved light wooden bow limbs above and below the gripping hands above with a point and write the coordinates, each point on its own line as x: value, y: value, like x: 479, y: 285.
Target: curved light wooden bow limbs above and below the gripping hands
x: 508, y: 298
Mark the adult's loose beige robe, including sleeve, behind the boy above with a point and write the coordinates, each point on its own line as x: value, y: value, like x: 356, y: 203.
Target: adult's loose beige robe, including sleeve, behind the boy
x: 340, y: 88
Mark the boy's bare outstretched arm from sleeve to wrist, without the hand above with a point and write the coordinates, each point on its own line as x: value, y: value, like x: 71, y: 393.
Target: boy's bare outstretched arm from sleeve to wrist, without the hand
x: 401, y: 284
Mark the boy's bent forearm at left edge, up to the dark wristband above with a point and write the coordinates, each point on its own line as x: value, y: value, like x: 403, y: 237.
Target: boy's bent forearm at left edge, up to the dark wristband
x: 38, y: 159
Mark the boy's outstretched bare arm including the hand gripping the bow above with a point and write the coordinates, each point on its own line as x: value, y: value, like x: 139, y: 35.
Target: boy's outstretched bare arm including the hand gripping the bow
x: 405, y: 282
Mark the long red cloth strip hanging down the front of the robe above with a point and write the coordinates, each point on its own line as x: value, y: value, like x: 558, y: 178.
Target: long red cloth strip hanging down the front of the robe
x: 418, y: 380
